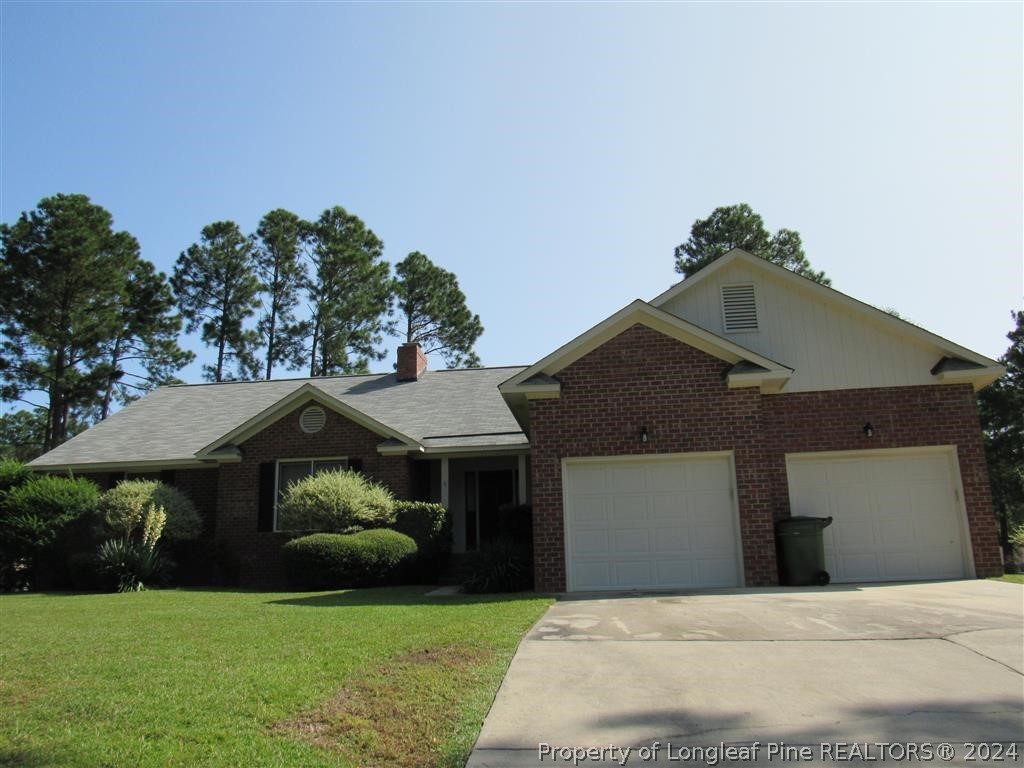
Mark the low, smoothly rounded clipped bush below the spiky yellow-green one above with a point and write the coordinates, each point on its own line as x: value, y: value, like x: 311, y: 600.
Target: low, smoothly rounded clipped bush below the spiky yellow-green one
x: 370, y: 559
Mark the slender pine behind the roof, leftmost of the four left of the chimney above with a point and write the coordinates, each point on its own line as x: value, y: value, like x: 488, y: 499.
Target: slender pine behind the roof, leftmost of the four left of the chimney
x: 218, y: 292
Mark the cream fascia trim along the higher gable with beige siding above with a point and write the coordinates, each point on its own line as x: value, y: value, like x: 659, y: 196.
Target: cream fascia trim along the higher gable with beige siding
x: 829, y: 295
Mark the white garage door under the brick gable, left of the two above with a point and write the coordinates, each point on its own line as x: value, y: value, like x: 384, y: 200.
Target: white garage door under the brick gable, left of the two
x: 659, y: 524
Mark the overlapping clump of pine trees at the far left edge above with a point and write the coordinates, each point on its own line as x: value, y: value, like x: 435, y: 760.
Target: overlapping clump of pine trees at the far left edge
x: 70, y: 288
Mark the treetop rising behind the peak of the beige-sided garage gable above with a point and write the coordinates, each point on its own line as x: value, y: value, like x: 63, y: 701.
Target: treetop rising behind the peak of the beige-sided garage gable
x: 740, y: 227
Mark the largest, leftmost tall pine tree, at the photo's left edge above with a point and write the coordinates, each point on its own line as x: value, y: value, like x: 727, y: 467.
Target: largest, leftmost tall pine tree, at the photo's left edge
x: 63, y: 285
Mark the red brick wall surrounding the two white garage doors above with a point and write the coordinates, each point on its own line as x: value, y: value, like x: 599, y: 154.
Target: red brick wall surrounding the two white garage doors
x: 644, y: 378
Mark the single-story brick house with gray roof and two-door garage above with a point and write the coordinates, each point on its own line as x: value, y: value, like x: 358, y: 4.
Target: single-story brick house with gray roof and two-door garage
x: 658, y: 449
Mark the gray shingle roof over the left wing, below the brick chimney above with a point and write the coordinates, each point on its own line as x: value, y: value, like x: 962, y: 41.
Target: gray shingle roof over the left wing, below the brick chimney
x: 457, y: 409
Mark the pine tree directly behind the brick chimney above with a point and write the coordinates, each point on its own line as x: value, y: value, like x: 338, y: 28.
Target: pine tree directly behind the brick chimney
x: 434, y: 312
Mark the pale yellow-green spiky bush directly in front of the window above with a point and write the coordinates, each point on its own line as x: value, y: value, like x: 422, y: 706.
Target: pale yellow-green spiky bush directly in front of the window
x: 339, y: 502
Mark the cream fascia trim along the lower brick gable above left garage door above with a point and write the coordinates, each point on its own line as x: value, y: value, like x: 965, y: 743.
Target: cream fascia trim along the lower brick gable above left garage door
x: 658, y: 320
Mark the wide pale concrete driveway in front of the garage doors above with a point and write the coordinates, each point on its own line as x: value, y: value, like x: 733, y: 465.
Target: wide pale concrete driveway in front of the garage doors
x: 920, y: 665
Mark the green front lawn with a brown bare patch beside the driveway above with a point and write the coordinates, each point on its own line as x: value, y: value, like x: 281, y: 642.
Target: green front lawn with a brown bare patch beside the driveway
x: 216, y: 678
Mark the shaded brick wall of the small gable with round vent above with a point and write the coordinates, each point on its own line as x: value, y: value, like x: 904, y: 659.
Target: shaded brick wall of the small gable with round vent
x: 260, y: 553
